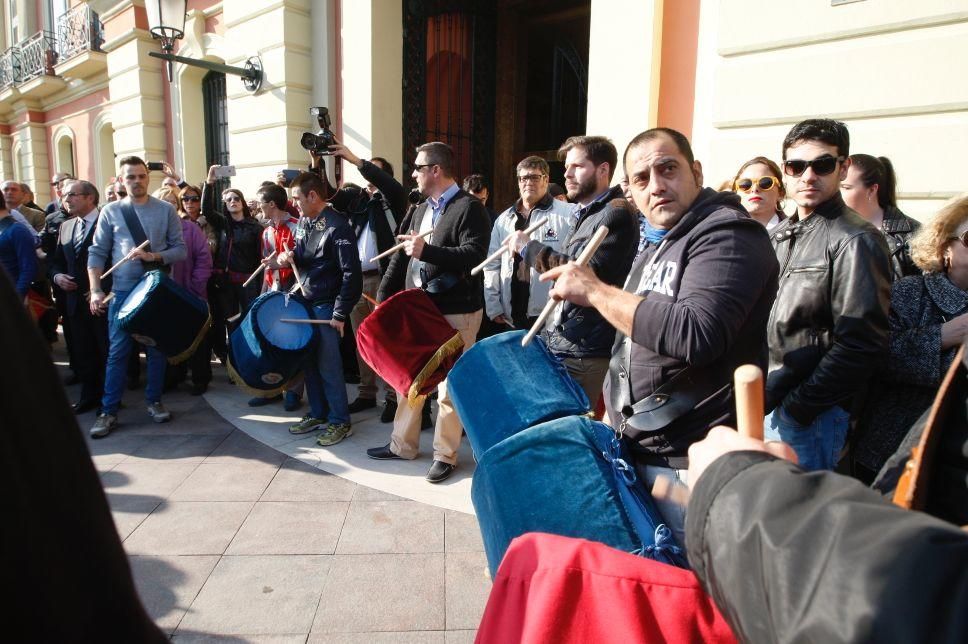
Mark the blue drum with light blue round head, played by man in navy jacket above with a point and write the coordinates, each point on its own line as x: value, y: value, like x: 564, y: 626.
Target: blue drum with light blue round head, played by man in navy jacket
x: 265, y: 353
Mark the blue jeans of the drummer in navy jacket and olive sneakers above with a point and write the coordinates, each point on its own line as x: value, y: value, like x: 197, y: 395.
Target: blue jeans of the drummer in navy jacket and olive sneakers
x: 325, y: 386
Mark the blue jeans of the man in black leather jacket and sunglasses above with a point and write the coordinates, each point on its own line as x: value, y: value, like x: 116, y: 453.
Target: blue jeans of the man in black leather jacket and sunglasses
x: 818, y: 444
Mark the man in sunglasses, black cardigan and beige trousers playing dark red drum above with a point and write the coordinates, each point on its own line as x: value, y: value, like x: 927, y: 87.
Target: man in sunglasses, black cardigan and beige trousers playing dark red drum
x: 440, y: 265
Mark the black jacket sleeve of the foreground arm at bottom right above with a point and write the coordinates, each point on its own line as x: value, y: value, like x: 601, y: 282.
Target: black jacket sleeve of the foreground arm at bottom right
x: 791, y: 556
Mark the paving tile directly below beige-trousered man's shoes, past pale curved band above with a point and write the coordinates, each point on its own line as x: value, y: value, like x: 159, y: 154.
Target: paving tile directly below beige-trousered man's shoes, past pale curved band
x: 391, y: 527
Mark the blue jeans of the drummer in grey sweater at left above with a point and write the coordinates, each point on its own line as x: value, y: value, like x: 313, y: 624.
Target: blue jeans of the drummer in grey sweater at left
x: 117, y: 368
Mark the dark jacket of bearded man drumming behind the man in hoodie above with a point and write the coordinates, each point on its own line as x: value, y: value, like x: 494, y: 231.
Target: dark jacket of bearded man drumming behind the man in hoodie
x: 582, y: 332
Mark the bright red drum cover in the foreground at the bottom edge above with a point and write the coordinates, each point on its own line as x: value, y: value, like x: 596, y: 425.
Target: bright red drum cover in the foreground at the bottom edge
x: 563, y: 590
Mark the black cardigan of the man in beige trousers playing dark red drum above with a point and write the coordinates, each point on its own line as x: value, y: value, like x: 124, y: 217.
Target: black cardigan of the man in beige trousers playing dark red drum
x: 459, y: 243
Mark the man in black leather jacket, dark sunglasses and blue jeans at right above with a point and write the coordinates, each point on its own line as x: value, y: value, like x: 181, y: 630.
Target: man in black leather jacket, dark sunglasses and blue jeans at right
x: 828, y: 329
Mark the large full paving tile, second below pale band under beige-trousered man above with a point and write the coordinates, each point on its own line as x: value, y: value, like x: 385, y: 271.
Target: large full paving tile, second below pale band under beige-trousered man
x: 382, y: 593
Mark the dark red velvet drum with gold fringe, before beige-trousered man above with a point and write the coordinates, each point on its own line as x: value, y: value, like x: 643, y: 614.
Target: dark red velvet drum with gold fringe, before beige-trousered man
x: 409, y: 343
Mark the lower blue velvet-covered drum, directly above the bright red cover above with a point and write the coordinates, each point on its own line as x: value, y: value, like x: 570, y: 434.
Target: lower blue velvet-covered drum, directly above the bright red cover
x: 568, y: 477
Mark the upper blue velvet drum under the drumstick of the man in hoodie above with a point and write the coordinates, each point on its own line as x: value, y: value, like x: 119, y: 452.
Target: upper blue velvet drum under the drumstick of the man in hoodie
x: 499, y: 388
